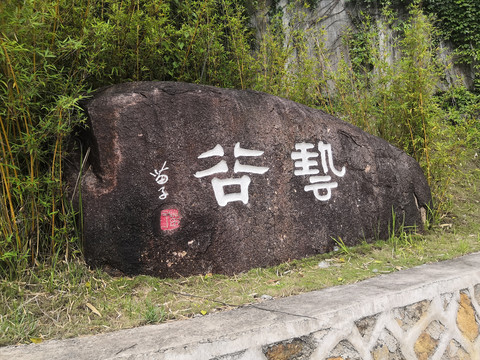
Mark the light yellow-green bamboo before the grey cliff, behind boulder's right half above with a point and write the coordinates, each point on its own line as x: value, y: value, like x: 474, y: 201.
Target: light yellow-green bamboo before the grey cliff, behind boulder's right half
x: 388, y: 95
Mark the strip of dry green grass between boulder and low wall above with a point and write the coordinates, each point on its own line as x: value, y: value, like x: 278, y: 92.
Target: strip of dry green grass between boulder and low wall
x: 71, y: 299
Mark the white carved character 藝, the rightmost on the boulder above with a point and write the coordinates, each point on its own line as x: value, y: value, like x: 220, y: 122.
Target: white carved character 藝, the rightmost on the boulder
x: 320, y: 185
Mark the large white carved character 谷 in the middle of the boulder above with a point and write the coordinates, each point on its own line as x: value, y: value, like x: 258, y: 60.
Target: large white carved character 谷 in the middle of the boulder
x: 220, y: 184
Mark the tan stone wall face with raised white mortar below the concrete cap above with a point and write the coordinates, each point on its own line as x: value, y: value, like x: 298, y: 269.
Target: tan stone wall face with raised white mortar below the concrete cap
x: 443, y: 327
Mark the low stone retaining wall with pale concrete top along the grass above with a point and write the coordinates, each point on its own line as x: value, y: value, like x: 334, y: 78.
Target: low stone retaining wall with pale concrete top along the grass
x: 317, y: 323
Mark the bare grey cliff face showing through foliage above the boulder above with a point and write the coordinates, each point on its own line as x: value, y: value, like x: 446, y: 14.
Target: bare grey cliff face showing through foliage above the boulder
x: 335, y: 18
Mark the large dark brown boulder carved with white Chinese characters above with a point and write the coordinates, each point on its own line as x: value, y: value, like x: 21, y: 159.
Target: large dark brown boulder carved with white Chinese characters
x: 186, y: 179
